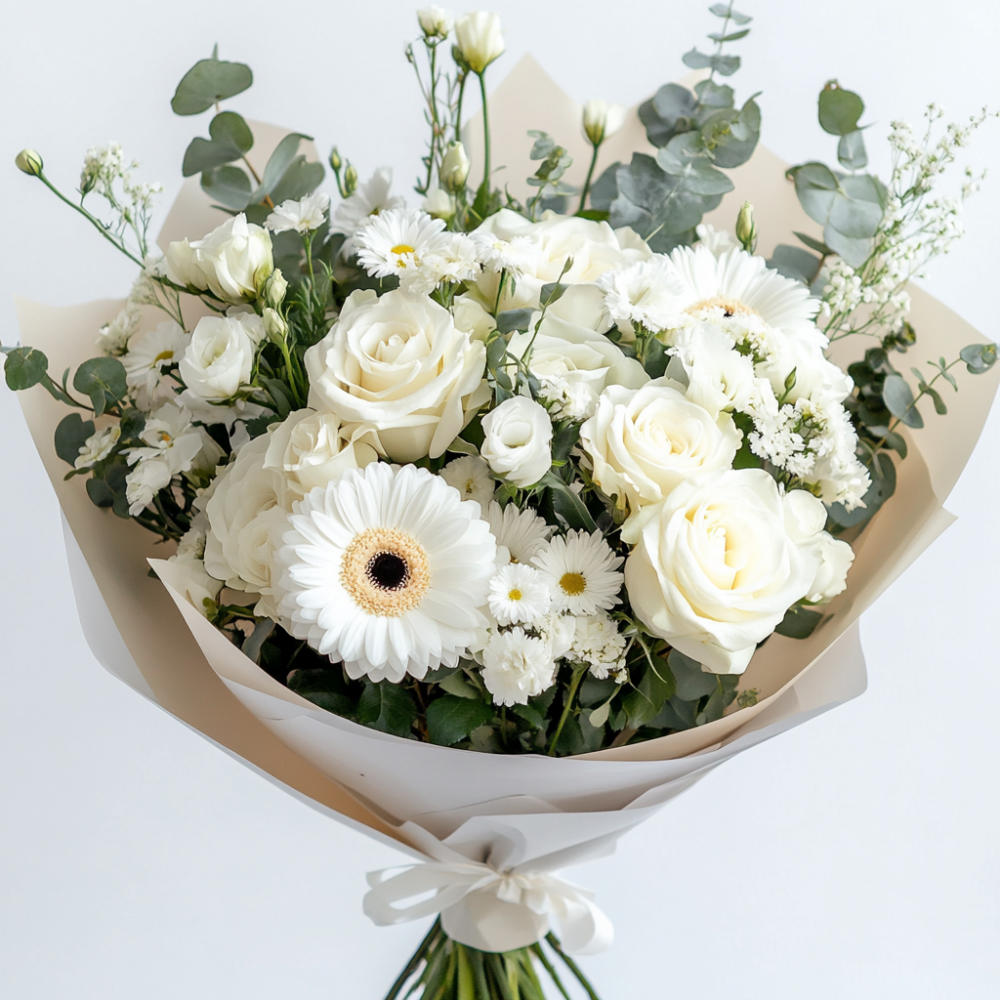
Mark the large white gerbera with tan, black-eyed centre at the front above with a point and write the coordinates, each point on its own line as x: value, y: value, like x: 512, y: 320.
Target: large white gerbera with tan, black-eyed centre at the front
x: 385, y: 569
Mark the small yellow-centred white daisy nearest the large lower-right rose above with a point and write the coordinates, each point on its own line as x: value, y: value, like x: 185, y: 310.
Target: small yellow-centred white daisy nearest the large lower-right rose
x: 583, y: 571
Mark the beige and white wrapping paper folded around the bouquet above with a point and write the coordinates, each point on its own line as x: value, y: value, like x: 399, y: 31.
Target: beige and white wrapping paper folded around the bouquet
x: 195, y: 674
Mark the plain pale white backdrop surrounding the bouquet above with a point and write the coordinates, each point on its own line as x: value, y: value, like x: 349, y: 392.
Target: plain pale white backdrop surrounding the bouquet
x: 855, y: 857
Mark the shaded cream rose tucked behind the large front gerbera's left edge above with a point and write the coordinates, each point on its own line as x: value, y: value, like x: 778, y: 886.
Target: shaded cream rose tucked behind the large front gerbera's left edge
x: 247, y: 508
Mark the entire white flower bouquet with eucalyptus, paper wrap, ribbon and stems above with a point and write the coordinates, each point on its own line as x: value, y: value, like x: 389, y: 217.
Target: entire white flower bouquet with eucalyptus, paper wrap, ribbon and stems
x: 457, y: 492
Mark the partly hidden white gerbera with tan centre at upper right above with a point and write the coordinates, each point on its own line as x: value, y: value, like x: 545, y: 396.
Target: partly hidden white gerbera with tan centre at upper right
x: 738, y: 283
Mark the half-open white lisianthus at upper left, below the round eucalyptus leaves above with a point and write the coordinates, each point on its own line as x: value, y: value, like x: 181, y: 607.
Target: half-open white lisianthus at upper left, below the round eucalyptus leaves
x: 232, y: 261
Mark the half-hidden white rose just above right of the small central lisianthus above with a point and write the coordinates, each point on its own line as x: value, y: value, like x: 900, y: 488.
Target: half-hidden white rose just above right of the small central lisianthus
x: 565, y: 356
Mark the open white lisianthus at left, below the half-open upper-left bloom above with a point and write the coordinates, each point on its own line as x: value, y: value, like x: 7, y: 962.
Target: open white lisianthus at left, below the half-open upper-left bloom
x: 219, y: 357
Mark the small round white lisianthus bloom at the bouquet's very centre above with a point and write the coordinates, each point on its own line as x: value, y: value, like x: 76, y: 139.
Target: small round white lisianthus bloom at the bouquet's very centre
x: 518, y: 444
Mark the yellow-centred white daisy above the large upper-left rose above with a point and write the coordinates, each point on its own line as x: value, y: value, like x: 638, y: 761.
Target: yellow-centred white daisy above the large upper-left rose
x: 401, y: 242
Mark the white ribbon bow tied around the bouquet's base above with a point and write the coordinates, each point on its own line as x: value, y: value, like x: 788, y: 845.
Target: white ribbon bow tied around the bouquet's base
x: 488, y: 909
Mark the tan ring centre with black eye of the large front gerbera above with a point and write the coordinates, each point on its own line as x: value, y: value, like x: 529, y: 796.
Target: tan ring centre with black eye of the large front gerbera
x: 386, y: 572
